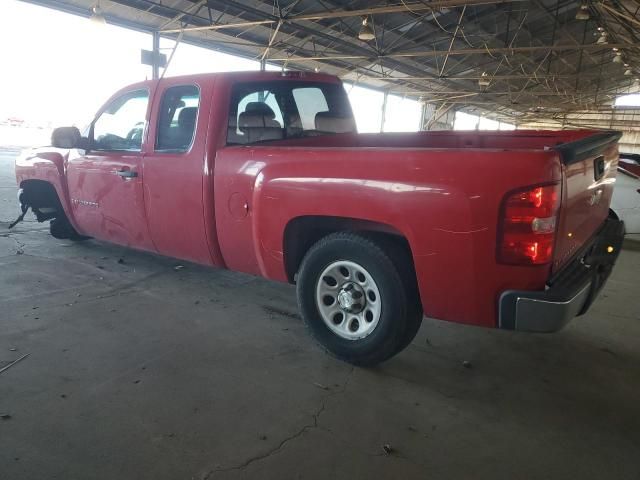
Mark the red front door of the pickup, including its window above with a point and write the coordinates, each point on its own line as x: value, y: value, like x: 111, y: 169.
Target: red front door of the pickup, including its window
x: 105, y: 183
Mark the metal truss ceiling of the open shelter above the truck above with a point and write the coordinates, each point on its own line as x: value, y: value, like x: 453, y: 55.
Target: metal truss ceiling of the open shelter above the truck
x: 522, y: 60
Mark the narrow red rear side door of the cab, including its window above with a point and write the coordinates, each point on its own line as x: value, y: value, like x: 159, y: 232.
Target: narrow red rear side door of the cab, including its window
x: 175, y: 171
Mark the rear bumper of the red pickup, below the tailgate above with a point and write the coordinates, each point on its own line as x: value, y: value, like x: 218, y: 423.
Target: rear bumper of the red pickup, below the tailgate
x: 571, y: 292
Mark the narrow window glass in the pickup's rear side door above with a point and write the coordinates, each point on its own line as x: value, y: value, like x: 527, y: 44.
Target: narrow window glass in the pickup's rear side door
x: 177, y: 118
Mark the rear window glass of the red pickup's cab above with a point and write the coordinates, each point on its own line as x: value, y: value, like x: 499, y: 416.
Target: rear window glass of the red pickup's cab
x: 266, y: 111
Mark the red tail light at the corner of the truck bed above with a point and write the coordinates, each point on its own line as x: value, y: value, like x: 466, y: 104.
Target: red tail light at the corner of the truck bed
x: 528, y: 225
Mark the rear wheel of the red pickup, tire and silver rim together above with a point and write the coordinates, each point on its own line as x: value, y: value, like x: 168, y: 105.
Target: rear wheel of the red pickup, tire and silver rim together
x: 355, y: 300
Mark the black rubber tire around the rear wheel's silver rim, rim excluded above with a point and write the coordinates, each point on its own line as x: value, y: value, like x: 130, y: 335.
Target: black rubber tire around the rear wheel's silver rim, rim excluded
x: 398, y: 320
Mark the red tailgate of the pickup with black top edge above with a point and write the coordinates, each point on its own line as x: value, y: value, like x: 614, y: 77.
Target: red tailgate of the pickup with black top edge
x: 589, y: 166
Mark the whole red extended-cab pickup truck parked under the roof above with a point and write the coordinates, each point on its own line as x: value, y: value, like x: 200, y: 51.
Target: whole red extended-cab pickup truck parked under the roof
x: 265, y: 173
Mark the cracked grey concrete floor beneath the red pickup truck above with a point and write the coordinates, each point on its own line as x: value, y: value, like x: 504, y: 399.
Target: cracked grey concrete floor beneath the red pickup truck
x: 141, y: 371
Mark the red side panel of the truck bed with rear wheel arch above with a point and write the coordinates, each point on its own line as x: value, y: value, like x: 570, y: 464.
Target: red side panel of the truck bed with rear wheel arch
x: 444, y: 202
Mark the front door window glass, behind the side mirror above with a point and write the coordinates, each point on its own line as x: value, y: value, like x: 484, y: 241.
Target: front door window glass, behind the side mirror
x: 121, y: 125
